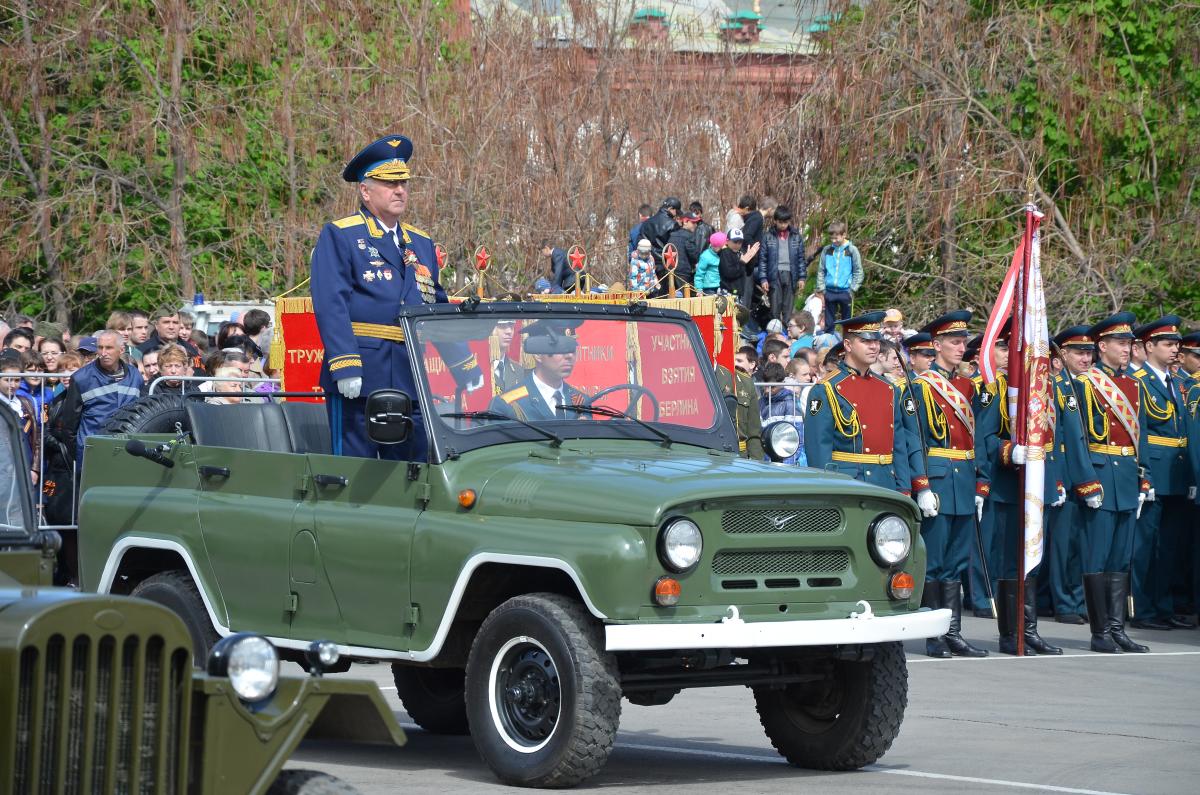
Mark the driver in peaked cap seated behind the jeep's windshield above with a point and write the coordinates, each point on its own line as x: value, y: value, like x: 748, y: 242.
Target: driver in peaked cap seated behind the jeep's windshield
x: 544, y: 393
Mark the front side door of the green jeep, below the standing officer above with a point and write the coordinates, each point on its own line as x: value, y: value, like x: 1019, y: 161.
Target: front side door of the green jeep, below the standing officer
x: 364, y: 516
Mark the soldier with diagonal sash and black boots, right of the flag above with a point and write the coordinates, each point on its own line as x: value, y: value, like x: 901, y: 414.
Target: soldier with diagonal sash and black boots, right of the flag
x: 1115, y: 421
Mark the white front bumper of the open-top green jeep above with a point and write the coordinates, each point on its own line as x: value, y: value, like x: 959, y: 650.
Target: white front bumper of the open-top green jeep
x: 735, y: 633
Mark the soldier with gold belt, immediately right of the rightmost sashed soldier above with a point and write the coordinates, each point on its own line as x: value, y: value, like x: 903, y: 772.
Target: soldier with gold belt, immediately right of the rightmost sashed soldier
x: 1165, y: 518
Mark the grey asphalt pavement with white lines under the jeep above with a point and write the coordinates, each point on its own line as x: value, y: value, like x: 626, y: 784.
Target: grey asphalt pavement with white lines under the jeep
x: 1078, y: 724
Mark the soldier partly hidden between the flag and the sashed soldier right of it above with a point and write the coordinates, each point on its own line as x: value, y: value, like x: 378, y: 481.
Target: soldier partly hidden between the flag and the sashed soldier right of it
x: 1072, y: 467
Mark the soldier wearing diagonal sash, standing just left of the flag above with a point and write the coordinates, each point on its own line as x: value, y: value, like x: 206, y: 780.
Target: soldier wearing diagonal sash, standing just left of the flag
x: 947, y: 423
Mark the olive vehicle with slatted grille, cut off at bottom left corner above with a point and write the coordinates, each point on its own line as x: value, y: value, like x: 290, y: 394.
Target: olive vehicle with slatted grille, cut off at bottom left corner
x: 98, y: 694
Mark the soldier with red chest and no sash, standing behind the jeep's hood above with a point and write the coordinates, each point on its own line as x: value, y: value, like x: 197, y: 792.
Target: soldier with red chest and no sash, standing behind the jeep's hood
x: 856, y: 421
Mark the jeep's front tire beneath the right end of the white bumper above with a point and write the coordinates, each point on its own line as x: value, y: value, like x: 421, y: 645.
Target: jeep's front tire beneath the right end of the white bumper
x: 847, y: 721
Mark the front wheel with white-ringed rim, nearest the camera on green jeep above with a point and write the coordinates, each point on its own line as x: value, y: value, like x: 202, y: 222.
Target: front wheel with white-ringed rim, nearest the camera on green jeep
x: 543, y: 697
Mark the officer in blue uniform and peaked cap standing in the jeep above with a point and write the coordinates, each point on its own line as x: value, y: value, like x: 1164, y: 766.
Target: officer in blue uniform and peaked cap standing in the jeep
x: 365, y: 268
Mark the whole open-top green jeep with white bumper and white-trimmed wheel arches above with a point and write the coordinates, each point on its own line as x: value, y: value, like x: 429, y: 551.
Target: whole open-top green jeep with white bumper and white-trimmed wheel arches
x: 580, y: 530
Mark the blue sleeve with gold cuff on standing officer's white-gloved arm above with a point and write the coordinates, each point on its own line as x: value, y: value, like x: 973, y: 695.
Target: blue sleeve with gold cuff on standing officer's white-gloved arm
x: 332, y: 289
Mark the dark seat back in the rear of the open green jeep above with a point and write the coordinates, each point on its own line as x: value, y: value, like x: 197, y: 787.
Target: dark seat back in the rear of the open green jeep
x: 277, y: 428
